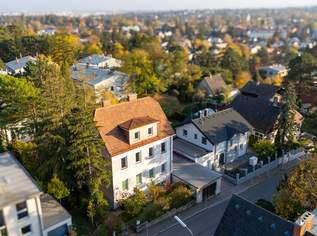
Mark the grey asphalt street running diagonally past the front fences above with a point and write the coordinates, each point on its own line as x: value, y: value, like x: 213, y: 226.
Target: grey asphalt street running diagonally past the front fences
x: 204, y: 221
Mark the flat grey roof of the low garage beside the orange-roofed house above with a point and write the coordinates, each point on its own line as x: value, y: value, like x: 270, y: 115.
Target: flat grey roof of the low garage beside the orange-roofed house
x: 193, y: 174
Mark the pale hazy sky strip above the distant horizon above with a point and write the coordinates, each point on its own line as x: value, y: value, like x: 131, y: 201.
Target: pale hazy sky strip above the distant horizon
x: 133, y: 5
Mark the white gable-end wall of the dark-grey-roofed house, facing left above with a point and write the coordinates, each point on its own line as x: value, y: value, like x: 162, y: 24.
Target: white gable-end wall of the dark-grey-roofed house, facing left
x: 191, y: 131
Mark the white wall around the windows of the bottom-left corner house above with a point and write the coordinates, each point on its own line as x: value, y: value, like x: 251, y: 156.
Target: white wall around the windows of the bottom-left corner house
x: 14, y: 225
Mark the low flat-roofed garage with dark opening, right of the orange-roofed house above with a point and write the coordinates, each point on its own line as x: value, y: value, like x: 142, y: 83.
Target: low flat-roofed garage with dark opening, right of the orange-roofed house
x: 205, y: 182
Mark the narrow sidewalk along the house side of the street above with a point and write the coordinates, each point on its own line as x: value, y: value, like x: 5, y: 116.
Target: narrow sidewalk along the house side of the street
x: 227, y: 190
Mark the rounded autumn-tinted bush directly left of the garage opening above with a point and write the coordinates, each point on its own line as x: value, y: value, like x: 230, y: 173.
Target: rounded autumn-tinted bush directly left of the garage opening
x: 180, y: 196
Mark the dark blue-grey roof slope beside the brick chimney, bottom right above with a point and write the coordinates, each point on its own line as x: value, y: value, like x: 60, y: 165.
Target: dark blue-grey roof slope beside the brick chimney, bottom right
x: 243, y: 218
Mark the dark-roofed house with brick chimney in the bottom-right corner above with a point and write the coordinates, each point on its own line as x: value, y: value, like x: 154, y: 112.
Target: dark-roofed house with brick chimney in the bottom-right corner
x: 244, y: 218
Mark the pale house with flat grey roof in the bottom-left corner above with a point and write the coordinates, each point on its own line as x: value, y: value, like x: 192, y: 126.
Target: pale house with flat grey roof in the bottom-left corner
x: 24, y: 208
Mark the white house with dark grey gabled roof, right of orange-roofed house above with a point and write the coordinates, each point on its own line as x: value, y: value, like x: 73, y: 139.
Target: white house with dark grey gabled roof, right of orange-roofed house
x: 214, y: 140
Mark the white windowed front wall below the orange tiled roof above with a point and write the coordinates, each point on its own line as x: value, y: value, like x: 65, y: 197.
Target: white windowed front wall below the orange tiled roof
x: 142, y: 167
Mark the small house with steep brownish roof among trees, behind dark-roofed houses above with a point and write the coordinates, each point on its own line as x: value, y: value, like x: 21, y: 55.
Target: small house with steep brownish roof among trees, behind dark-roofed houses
x: 212, y: 85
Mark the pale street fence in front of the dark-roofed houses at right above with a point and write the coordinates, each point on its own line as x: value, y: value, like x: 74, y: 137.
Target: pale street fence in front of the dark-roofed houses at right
x: 246, y: 174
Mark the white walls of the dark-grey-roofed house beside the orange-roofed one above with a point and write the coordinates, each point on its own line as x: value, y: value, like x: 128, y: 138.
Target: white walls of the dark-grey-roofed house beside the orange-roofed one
x: 219, y: 153
